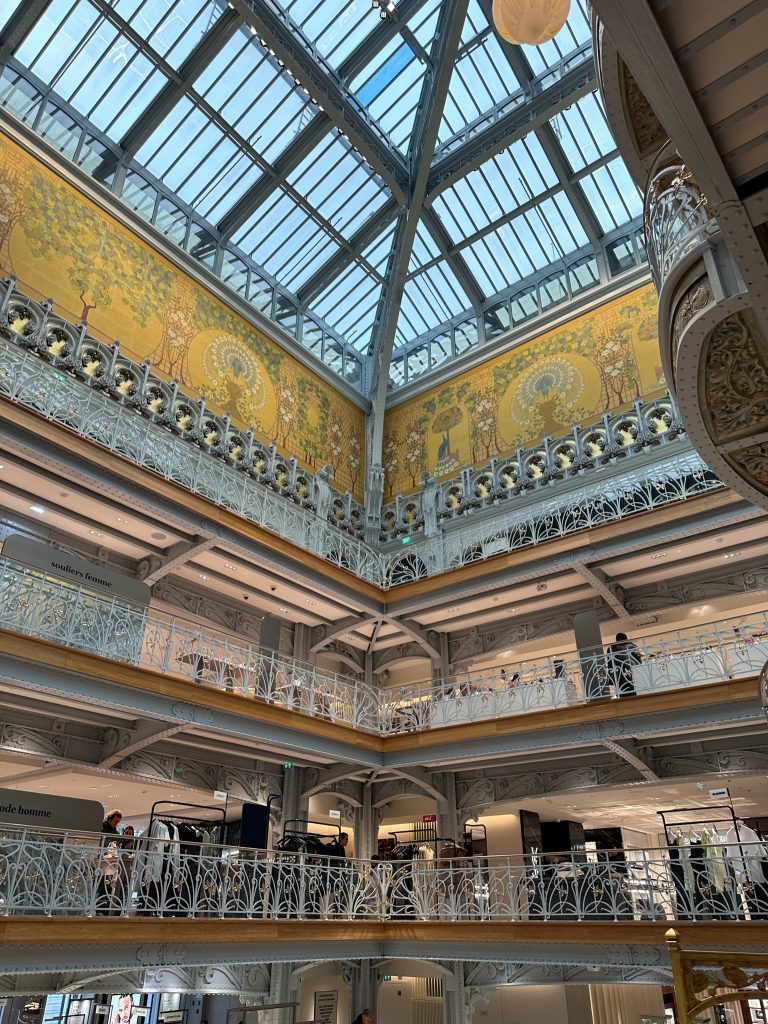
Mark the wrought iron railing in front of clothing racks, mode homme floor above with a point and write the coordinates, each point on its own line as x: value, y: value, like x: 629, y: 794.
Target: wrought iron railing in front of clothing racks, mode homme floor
x: 81, y: 875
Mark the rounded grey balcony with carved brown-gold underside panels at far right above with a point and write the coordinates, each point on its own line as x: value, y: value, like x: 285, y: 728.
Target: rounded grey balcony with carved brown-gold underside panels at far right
x: 712, y: 333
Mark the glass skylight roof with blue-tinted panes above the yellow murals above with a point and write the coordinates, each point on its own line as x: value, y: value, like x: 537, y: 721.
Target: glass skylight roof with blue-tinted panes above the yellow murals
x: 233, y: 156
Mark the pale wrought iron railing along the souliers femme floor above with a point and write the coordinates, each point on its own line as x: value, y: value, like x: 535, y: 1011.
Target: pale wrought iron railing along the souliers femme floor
x: 35, y: 605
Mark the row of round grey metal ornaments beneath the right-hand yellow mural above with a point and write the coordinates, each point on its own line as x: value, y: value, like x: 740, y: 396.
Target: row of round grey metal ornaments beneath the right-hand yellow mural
x: 646, y: 426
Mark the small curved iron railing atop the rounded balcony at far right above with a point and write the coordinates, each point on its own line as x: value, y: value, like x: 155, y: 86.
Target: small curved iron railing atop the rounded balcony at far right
x: 677, y: 215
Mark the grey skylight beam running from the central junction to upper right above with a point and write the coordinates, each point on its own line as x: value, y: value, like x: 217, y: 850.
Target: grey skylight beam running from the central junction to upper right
x: 517, y: 124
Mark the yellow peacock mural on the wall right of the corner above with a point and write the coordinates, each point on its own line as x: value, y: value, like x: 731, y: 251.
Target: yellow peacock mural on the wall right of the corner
x: 601, y: 361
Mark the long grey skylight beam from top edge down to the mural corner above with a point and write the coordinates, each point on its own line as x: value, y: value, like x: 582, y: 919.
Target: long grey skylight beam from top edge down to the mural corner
x: 434, y: 95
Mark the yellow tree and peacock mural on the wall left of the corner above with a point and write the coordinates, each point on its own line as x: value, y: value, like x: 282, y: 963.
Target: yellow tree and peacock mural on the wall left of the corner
x: 61, y: 246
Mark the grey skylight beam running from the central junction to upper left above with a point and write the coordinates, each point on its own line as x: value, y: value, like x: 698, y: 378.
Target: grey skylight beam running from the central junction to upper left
x: 286, y: 41
